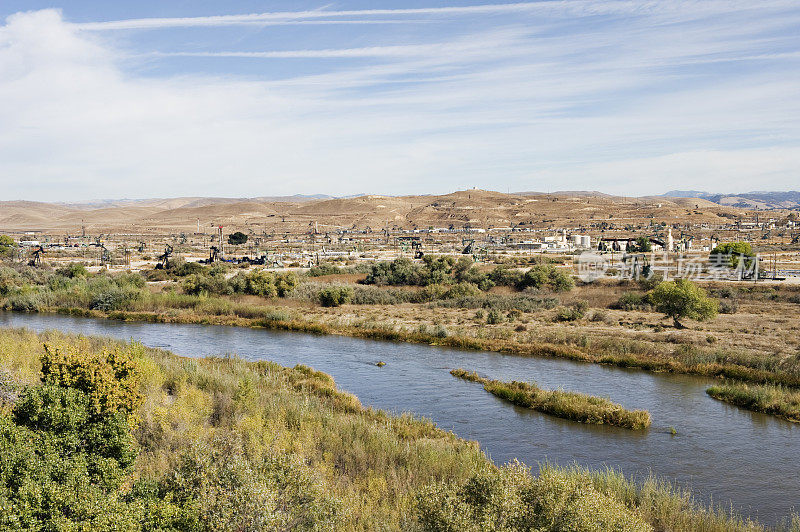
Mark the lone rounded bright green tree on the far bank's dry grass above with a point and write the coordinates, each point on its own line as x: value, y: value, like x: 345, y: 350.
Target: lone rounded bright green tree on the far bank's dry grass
x: 682, y: 298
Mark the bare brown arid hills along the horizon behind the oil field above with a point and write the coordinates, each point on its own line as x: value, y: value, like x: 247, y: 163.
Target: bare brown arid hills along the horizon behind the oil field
x: 476, y: 208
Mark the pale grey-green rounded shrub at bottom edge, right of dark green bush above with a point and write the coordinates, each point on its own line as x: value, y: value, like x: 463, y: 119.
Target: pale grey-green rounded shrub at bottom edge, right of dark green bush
x: 216, y: 487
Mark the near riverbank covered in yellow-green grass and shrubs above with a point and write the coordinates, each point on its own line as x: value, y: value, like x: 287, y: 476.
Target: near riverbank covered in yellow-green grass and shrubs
x: 223, y: 444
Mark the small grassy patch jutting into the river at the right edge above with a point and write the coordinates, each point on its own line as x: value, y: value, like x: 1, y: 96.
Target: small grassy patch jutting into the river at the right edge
x: 775, y: 400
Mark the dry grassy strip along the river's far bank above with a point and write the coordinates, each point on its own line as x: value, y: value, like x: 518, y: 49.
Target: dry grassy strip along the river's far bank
x: 683, y: 359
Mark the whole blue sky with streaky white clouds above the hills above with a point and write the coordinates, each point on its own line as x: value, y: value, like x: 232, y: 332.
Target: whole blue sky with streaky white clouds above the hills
x: 161, y: 98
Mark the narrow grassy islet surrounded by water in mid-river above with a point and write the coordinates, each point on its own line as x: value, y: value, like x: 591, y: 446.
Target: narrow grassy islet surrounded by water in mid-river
x: 567, y: 405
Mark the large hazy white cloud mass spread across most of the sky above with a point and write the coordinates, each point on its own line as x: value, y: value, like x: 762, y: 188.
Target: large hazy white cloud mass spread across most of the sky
x: 507, y: 108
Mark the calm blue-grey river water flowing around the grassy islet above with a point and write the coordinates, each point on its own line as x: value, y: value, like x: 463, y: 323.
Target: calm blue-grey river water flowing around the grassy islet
x: 723, y: 453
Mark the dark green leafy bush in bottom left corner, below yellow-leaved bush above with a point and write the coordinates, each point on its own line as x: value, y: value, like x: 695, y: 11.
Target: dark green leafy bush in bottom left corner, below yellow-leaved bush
x: 61, y: 469
